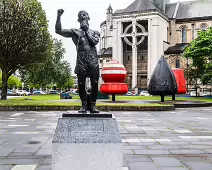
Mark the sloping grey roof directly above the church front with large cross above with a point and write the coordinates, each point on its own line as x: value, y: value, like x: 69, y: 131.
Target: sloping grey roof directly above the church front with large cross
x: 139, y: 6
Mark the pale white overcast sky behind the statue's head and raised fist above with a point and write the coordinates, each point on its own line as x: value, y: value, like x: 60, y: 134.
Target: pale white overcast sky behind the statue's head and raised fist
x: 97, y: 13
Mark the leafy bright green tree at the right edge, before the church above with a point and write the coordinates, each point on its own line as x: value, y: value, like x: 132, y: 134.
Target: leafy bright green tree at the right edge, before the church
x: 200, y: 51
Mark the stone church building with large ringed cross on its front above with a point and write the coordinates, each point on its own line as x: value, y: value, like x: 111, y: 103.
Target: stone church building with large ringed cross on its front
x: 138, y: 35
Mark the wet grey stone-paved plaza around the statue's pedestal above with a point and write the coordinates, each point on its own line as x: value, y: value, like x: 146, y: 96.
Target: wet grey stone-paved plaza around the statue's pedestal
x: 172, y: 140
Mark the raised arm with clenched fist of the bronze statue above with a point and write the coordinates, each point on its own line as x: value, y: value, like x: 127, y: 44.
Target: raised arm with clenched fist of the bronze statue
x: 58, y: 27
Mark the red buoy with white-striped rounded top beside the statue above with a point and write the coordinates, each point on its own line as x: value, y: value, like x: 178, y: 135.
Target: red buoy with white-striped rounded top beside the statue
x: 113, y: 75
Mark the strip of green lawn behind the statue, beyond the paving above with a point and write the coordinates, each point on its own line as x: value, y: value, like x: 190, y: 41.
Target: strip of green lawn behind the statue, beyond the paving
x: 51, y: 100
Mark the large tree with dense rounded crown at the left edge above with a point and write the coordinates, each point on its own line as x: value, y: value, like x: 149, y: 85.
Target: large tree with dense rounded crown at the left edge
x: 24, y: 36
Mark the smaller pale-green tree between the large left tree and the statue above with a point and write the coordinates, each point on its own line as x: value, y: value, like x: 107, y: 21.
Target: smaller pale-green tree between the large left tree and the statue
x: 54, y: 70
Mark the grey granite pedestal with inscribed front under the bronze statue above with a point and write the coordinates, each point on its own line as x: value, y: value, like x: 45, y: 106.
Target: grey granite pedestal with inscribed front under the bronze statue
x: 86, y: 143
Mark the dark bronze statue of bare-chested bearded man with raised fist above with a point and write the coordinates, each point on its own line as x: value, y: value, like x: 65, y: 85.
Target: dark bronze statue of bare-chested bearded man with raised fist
x: 87, y: 64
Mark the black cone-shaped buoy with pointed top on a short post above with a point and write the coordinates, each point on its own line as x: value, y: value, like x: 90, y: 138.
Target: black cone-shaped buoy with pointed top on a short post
x: 163, y: 81
